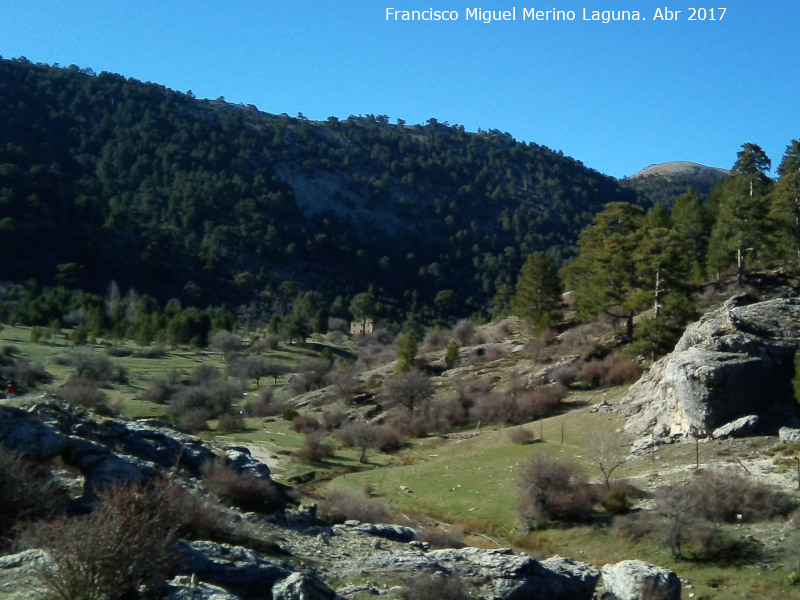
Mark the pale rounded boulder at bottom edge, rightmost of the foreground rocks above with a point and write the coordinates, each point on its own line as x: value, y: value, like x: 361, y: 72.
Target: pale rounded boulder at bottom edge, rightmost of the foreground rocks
x: 638, y: 580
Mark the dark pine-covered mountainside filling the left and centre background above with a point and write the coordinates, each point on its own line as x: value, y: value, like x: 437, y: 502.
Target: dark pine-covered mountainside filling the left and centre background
x: 205, y: 201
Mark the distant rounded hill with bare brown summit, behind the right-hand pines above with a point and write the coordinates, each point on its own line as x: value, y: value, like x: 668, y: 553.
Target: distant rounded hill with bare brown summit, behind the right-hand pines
x: 662, y: 183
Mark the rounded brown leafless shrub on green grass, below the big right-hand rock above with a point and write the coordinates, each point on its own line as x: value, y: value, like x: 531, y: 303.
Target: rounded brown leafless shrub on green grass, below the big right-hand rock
x: 553, y: 489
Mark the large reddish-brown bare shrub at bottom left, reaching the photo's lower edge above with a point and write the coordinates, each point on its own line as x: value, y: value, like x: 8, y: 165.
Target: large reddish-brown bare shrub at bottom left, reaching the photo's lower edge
x: 120, y: 550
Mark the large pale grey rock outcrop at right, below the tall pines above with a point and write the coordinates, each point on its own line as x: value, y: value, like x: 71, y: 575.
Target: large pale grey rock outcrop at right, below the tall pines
x: 734, y: 362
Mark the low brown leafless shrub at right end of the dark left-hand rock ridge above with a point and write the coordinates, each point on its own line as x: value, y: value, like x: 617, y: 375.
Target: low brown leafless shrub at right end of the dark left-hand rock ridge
x: 246, y: 491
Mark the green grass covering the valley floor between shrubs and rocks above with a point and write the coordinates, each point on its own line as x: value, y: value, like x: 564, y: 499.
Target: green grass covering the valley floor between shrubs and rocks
x: 470, y: 481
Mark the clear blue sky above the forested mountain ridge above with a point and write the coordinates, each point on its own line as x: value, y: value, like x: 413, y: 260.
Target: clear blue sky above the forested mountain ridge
x: 618, y: 96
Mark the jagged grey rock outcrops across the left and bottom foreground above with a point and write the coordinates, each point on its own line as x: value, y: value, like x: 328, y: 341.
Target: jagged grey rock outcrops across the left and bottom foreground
x: 312, y: 559
